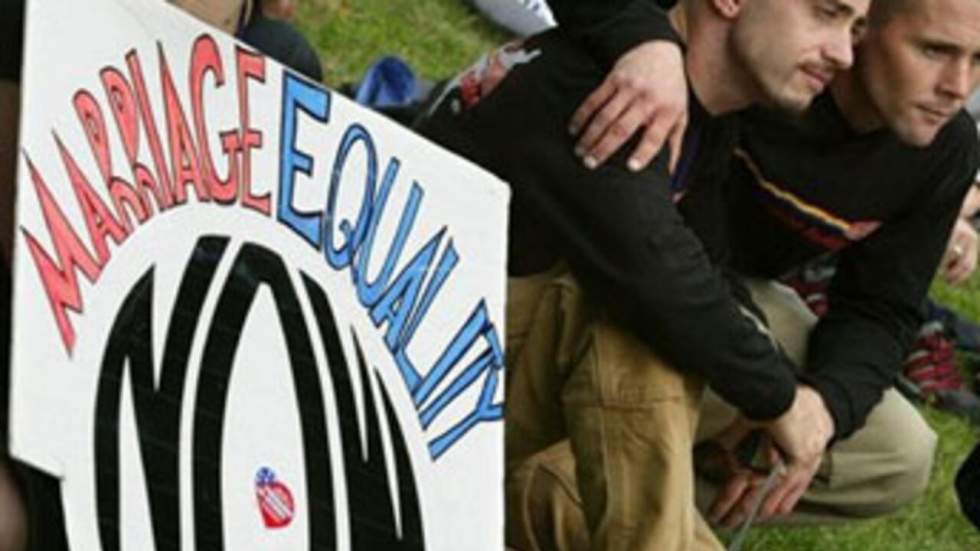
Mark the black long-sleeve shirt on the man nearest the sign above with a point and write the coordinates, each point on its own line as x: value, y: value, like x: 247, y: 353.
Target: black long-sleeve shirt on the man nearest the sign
x: 620, y: 231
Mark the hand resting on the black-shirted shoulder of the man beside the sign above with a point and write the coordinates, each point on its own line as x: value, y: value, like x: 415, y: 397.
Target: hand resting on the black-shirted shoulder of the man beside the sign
x: 647, y: 87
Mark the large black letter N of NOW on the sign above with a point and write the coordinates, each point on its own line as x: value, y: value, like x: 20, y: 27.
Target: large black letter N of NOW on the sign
x: 157, y: 408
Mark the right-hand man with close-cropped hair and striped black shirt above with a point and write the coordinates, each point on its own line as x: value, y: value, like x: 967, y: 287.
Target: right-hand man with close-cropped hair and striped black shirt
x: 876, y: 170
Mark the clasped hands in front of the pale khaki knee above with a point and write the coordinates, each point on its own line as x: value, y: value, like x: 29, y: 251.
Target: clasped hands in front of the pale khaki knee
x: 799, y: 437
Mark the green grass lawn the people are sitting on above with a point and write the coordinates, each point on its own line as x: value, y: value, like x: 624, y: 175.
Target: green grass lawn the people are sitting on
x: 438, y: 37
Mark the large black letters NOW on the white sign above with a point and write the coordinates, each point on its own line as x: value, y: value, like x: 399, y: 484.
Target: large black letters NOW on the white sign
x: 158, y: 409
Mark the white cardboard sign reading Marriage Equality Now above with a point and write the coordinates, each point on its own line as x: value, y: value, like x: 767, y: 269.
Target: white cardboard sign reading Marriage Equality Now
x: 249, y: 314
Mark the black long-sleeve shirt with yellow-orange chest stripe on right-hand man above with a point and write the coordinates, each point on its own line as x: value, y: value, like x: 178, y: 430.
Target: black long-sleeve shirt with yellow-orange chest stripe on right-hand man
x: 807, y: 188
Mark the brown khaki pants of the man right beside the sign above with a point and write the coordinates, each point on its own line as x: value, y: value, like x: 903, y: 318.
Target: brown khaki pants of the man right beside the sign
x: 629, y: 418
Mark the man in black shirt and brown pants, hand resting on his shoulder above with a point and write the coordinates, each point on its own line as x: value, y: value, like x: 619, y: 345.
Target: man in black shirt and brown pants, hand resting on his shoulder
x: 629, y: 414
